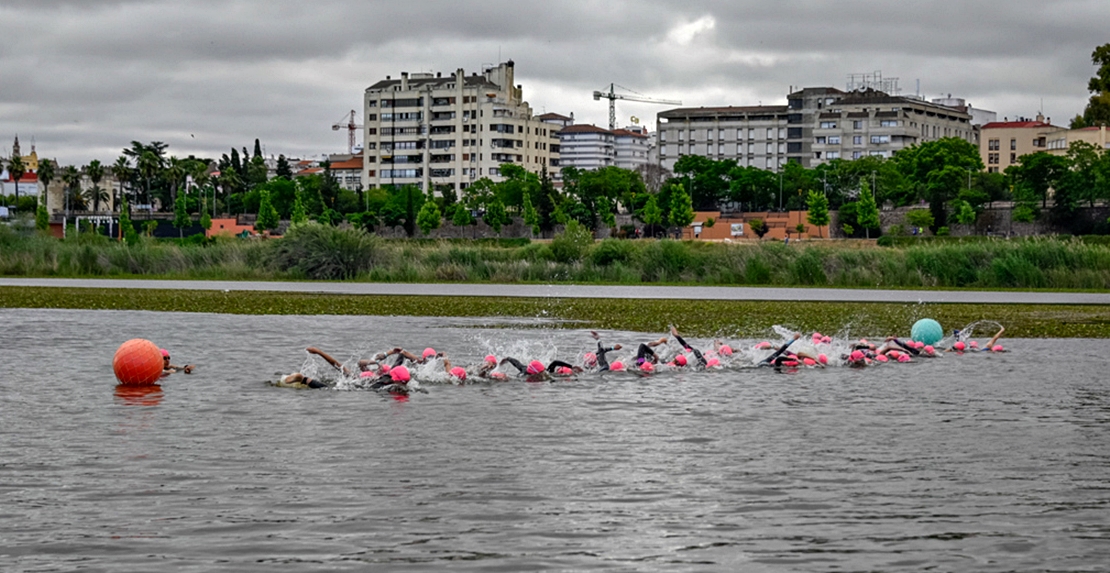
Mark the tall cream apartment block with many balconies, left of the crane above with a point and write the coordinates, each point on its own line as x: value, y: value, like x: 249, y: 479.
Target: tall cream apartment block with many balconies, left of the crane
x: 448, y: 132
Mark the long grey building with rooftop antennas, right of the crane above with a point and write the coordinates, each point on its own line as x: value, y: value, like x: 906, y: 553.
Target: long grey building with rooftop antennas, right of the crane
x: 816, y: 126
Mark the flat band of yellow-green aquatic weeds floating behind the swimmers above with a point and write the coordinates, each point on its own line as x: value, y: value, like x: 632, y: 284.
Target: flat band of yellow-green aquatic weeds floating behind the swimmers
x: 695, y: 318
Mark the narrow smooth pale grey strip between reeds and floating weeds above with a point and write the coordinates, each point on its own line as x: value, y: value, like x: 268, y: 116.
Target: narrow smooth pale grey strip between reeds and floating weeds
x: 588, y: 291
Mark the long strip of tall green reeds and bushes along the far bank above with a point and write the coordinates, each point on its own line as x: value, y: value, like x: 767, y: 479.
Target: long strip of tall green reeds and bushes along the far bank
x: 319, y: 252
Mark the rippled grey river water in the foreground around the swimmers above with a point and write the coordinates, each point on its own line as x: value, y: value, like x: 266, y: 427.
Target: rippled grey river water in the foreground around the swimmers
x: 980, y: 463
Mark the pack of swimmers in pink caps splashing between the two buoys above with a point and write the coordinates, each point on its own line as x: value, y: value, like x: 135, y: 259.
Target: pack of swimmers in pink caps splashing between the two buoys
x: 393, y: 370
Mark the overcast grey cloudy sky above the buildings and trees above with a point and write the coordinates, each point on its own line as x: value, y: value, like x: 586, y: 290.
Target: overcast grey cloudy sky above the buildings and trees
x: 84, y: 78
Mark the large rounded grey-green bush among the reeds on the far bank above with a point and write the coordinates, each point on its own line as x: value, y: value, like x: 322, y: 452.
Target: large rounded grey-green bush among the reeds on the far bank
x: 321, y: 252
